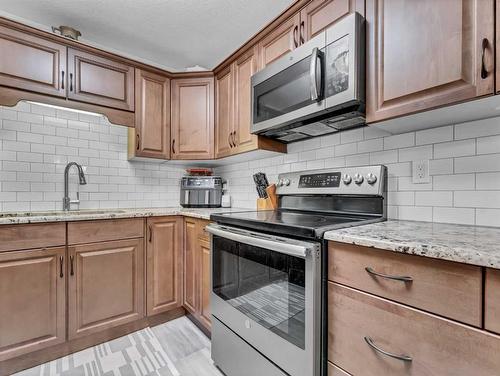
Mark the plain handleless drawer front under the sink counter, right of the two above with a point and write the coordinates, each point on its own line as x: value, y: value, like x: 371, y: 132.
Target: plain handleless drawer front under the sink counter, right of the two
x: 105, y: 230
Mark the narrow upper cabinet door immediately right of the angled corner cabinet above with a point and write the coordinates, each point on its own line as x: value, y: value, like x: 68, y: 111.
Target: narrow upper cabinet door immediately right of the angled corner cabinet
x: 224, y: 141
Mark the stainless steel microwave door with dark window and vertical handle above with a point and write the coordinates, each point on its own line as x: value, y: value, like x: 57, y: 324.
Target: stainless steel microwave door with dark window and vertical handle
x: 290, y: 88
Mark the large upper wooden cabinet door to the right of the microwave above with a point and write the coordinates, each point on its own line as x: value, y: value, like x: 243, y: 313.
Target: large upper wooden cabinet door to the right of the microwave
x: 420, y: 62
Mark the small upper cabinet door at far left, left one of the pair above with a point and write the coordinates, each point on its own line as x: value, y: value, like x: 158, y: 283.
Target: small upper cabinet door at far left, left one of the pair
x: 31, y: 63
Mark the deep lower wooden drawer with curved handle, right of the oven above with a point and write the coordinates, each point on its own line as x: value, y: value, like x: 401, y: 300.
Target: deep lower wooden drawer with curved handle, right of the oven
x: 437, y: 346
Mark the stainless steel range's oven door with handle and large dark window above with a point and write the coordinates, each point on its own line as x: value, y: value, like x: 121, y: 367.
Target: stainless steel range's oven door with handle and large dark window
x: 266, y: 289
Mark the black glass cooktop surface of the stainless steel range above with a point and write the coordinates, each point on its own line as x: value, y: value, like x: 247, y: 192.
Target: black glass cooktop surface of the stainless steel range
x: 290, y: 222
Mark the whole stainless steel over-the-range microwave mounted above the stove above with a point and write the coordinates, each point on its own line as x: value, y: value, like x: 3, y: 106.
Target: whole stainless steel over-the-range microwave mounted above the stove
x: 314, y: 90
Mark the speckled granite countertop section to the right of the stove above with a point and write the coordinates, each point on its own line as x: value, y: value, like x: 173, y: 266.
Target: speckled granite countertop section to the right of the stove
x: 466, y: 244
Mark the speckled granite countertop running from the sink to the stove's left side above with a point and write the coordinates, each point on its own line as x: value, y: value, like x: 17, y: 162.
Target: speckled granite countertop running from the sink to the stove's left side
x: 85, y: 215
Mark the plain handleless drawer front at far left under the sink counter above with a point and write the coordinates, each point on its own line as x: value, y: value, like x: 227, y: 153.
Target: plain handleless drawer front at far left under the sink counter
x: 43, y: 235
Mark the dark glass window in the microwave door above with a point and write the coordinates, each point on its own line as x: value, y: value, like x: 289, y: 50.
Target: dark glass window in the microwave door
x: 284, y: 92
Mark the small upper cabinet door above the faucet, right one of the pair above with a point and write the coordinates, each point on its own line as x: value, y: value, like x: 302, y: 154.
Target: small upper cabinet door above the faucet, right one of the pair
x: 97, y: 80
